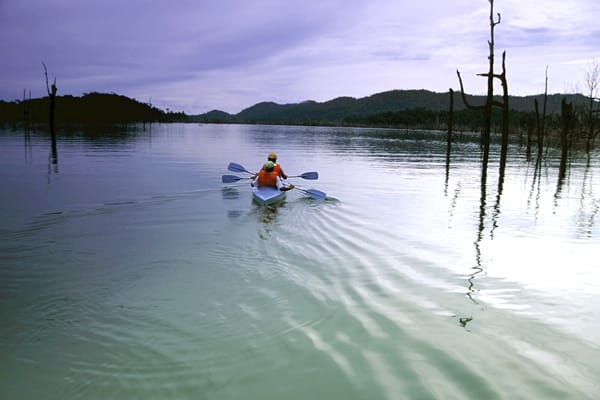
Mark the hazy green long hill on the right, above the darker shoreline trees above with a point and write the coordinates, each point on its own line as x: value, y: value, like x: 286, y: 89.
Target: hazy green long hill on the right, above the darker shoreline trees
x: 342, y: 110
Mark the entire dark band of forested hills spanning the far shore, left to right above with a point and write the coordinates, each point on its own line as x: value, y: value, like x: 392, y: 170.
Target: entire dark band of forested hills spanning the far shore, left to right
x: 414, y: 108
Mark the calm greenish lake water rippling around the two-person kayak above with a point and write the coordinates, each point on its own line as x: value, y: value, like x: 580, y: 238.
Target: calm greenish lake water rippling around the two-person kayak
x: 129, y: 271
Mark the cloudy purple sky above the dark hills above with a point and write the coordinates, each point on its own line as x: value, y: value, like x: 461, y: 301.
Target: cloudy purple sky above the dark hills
x: 199, y: 55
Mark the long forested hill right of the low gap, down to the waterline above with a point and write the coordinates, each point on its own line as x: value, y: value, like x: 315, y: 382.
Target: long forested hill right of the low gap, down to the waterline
x: 396, y: 108
